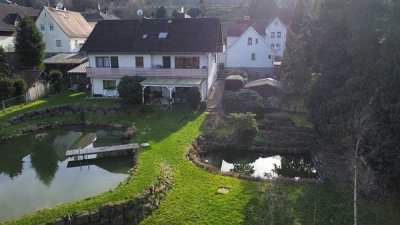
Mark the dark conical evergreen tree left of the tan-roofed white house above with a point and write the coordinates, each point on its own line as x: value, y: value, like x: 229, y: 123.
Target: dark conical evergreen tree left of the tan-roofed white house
x: 29, y: 45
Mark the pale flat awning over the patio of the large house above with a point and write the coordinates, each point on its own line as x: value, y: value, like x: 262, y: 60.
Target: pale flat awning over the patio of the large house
x: 177, y: 82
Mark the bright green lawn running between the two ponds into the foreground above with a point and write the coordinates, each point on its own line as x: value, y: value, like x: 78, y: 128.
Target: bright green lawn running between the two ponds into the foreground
x: 194, y: 198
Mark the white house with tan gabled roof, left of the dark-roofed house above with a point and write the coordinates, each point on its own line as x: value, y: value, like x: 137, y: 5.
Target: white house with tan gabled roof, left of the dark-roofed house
x: 62, y: 30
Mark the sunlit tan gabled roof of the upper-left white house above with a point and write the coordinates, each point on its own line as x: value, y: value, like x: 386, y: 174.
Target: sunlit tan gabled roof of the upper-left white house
x: 72, y: 23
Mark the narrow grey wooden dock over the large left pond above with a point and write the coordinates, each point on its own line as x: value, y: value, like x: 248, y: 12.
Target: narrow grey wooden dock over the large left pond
x: 108, y: 150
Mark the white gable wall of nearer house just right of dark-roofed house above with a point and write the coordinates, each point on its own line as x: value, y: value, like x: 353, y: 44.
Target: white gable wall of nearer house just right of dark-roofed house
x: 239, y: 55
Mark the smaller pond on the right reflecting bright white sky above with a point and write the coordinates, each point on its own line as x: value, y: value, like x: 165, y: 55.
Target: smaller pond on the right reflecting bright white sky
x: 262, y: 165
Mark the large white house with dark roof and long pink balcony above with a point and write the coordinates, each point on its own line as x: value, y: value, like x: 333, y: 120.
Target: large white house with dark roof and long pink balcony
x: 170, y: 55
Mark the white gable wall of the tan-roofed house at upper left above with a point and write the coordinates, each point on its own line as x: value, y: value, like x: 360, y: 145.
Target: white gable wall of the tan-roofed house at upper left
x: 50, y: 36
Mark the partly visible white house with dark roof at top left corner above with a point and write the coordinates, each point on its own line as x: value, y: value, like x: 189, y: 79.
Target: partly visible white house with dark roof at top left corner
x: 10, y: 14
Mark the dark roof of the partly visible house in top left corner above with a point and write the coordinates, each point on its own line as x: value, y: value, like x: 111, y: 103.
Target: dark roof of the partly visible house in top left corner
x: 10, y: 13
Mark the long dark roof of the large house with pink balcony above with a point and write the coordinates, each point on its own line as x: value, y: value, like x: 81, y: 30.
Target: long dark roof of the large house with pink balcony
x: 142, y: 36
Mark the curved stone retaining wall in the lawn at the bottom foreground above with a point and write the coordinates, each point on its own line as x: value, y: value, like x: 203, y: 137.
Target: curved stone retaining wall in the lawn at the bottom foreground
x: 132, y: 211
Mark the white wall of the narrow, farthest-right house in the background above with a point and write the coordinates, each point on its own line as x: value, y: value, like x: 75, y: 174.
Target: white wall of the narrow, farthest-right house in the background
x: 276, y: 26
